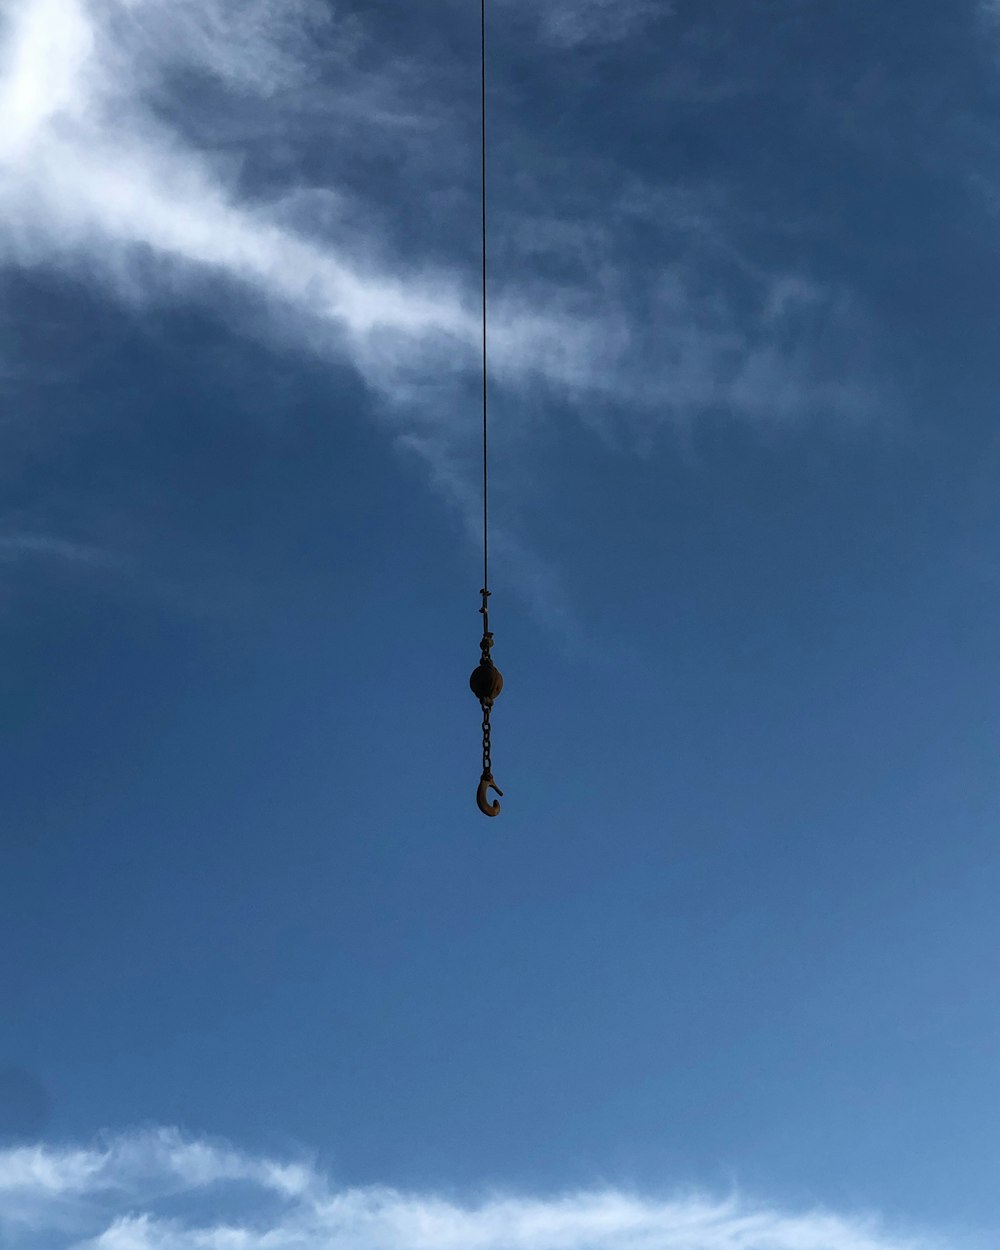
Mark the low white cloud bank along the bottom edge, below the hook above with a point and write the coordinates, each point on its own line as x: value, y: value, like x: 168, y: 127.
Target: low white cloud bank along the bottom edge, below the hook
x: 158, y: 1191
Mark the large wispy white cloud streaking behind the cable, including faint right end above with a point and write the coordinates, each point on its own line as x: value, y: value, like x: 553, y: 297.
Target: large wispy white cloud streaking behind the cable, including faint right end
x: 158, y: 151
